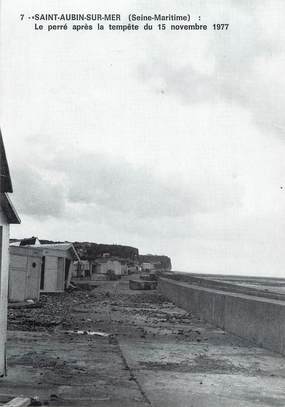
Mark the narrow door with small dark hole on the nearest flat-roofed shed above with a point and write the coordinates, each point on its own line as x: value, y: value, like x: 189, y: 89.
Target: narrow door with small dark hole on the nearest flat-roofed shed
x: 33, y: 278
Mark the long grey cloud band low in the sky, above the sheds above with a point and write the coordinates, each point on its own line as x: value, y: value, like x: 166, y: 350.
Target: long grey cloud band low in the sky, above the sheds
x: 86, y: 184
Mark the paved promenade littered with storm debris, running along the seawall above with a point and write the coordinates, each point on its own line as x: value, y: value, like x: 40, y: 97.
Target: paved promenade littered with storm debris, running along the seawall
x: 156, y: 355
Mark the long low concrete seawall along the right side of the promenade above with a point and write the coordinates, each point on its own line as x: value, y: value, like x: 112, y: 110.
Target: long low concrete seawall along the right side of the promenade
x: 260, y: 320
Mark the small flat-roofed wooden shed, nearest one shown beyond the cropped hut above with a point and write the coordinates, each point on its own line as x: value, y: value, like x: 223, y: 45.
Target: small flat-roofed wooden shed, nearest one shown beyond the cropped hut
x: 24, y: 274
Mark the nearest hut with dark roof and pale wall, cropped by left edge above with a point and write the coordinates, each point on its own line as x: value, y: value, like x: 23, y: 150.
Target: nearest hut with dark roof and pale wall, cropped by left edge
x: 8, y: 216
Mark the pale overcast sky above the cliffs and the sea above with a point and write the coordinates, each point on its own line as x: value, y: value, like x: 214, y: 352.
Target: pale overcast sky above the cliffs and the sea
x: 172, y: 142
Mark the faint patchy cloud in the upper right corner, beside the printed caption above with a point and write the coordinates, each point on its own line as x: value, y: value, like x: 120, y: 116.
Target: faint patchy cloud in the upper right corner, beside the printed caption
x: 243, y: 65
